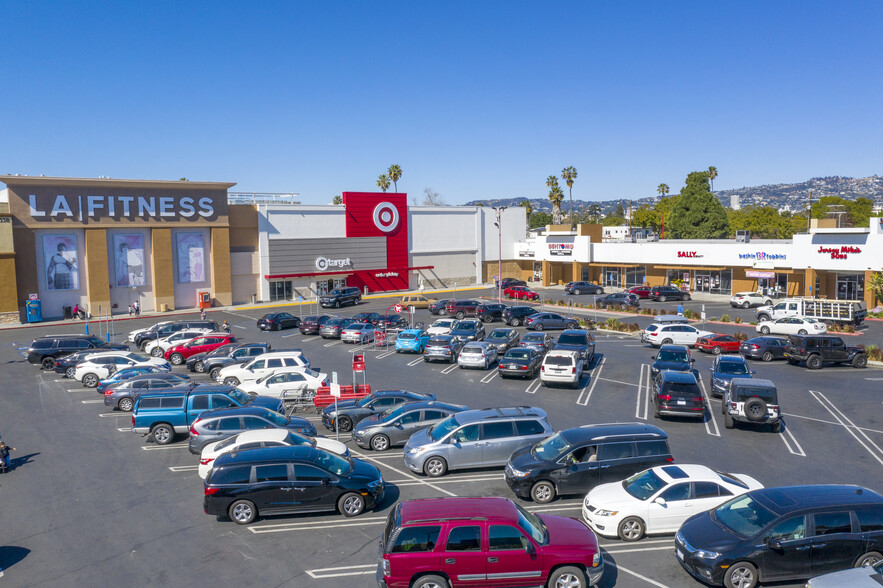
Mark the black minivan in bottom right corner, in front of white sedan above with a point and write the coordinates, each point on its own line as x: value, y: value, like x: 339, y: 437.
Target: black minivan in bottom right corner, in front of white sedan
x: 780, y: 534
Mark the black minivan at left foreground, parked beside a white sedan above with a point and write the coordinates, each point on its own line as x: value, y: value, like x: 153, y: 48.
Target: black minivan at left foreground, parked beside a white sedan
x: 286, y: 480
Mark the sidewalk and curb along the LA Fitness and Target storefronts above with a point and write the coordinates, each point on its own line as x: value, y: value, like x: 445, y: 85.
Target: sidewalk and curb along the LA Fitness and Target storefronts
x: 259, y: 306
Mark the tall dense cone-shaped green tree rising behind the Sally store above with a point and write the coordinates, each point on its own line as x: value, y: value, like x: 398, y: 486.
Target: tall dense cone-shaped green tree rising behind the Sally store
x: 697, y: 214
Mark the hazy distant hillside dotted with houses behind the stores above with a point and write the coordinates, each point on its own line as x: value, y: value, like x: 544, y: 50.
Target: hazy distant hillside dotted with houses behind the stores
x: 781, y: 196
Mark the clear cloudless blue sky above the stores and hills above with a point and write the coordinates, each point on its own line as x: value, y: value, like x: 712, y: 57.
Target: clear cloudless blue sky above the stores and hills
x: 473, y: 99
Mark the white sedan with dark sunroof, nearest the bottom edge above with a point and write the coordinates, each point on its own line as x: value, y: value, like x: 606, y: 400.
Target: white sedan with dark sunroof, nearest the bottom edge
x: 660, y: 499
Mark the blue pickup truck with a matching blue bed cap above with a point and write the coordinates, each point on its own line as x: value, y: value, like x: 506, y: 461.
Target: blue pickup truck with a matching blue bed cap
x: 164, y: 414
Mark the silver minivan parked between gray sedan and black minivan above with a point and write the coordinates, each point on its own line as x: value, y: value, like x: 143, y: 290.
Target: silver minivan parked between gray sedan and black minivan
x: 475, y: 438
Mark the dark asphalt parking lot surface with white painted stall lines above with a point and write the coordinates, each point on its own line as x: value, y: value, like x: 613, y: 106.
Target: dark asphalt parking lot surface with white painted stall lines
x: 89, y: 501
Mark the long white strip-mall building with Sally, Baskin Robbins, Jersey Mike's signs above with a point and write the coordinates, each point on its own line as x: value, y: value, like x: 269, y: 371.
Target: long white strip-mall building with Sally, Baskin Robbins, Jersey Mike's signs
x: 825, y: 262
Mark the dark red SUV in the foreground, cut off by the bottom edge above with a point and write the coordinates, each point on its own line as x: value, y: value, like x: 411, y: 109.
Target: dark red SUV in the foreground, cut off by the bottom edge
x: 441, y: 542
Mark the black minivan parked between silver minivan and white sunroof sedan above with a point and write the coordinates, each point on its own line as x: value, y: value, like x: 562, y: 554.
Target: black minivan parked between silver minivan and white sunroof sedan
x: 575, y: 460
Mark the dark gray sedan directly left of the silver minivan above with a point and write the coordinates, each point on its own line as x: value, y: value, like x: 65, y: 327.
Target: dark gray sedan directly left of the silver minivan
x: 395, y: 426
